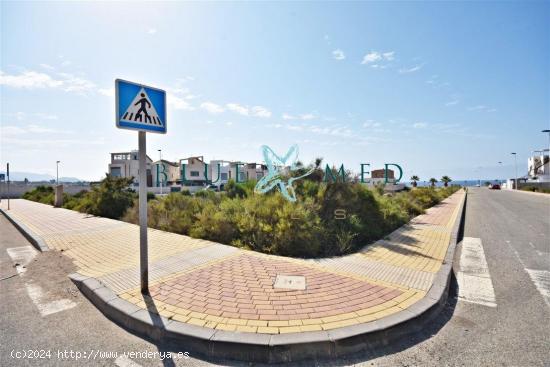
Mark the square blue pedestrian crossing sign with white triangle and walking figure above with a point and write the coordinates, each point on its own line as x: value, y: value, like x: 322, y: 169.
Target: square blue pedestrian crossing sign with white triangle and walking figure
x: 139, y: 107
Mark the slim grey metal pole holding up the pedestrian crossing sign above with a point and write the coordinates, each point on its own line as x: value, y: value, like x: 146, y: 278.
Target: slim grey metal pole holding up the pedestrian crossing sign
x: 143, y: 262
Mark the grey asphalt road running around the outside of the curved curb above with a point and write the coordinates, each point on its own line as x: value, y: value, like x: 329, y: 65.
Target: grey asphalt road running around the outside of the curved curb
x: 514, y: 229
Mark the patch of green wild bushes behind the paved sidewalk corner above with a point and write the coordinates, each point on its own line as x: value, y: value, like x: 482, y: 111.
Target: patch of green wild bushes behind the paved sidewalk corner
x: 328, y: 219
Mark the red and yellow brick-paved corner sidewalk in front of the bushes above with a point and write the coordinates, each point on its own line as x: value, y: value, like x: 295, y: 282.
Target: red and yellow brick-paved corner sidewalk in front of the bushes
x: 220, y: 287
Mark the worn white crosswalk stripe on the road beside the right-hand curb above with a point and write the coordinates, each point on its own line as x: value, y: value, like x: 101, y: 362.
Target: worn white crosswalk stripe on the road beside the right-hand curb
x: 474, y: 280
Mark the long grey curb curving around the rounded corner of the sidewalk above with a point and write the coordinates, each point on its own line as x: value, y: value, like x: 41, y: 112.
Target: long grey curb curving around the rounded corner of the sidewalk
x: 277, y: 348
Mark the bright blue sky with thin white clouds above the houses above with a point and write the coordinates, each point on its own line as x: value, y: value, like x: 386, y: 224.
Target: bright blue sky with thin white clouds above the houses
x: 441, y: 88
